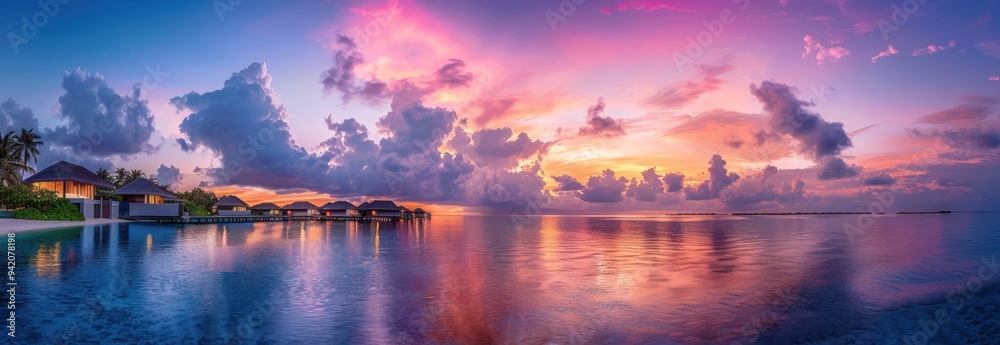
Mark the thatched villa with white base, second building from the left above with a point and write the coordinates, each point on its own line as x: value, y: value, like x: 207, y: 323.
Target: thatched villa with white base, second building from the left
x: 144, y: 198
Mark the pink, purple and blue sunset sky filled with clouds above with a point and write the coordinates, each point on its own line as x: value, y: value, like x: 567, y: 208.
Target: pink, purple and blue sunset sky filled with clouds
x: 524, y: 107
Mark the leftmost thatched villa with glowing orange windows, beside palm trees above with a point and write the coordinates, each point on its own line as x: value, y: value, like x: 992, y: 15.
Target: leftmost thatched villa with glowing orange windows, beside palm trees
x: 77, y: 184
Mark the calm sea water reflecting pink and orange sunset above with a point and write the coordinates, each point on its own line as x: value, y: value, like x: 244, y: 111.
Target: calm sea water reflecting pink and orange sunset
x: 482, y: 280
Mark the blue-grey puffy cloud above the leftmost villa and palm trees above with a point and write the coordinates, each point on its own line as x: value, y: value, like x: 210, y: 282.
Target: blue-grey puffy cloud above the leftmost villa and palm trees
x: 99, y: 121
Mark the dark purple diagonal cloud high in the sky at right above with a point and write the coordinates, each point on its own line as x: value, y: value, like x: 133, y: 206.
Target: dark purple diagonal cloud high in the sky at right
x: 818, y: 139
